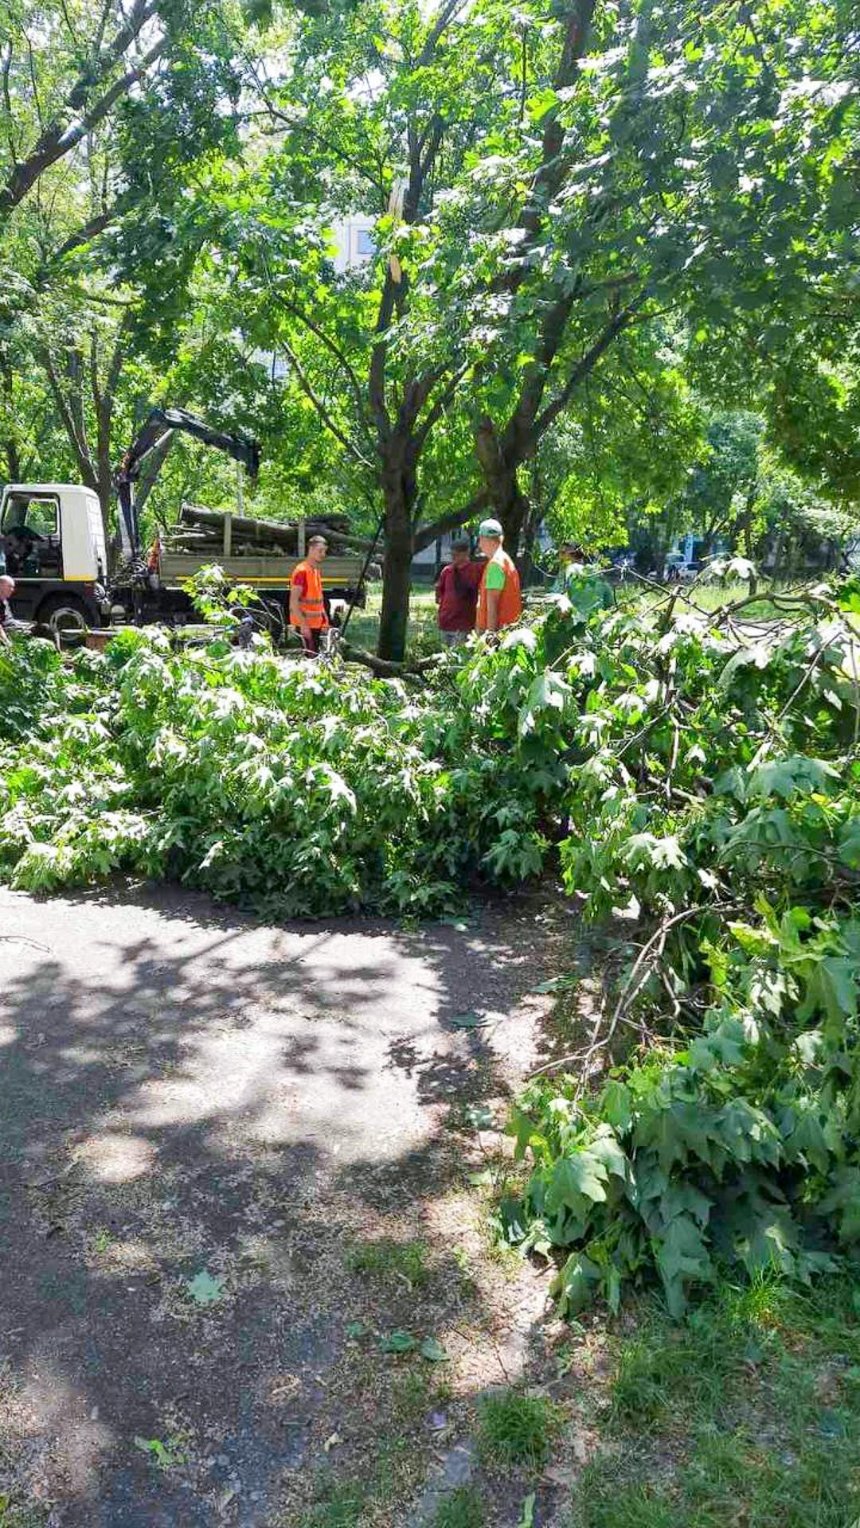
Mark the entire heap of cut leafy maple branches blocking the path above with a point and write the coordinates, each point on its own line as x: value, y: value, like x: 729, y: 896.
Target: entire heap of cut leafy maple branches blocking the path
x: 700, y: 777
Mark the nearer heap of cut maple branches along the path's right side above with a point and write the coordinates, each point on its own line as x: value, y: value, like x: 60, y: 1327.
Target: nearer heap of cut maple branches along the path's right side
x: 716, y: 797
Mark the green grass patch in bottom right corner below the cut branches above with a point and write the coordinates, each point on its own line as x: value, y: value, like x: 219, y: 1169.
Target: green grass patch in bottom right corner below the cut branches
x: 746, y: 1414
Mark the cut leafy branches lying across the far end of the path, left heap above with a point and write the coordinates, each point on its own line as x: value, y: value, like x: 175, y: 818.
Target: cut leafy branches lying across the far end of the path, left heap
x: 294, y: 788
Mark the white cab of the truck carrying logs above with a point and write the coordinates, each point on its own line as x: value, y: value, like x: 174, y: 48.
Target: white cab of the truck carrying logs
x: 53, y: 545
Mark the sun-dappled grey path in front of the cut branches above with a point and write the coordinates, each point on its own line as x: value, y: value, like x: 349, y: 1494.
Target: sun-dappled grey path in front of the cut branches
x: 212, y: 1136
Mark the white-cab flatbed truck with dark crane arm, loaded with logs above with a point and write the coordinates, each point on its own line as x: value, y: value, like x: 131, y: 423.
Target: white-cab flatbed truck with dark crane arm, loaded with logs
x: 53, y: 543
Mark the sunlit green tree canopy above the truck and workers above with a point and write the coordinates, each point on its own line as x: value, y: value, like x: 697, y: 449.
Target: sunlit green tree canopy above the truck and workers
x: 593, y: 228
